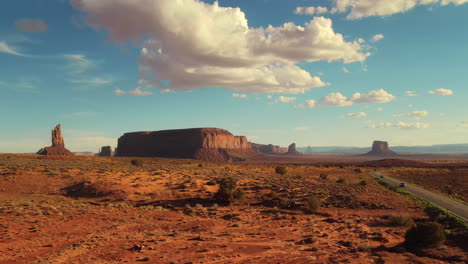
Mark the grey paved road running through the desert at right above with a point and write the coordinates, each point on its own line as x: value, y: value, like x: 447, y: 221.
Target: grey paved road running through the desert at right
x: 452, y: 206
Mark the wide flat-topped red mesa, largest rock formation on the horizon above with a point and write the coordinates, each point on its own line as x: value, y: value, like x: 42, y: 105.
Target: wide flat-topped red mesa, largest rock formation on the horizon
x: 210, y: 144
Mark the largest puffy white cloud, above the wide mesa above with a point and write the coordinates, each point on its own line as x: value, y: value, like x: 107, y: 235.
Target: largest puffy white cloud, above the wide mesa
x: 191, y: 44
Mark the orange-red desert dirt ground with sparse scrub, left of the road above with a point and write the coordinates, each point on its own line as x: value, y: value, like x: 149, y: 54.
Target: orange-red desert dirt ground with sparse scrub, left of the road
x: 164, y: 212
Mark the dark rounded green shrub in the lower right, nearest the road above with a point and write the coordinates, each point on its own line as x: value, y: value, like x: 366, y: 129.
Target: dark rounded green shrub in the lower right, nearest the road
x: 425, y: 235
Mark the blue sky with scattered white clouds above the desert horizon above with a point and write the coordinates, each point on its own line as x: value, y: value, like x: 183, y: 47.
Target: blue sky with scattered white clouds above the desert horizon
x: 334, y: 75
